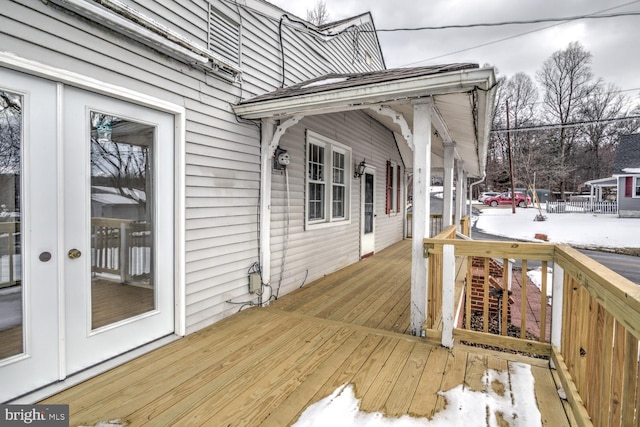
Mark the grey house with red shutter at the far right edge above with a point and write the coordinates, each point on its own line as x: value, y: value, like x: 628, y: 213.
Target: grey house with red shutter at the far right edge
x: 626, y: 170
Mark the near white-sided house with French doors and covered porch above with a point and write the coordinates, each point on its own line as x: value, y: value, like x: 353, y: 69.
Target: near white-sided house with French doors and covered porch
x: 262, y: 145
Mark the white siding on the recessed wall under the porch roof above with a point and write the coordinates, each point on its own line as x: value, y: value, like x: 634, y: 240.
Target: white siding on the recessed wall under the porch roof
x: 314, y: 253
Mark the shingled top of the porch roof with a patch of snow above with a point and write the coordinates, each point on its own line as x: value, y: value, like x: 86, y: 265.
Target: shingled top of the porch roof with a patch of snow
x: 334, y: 81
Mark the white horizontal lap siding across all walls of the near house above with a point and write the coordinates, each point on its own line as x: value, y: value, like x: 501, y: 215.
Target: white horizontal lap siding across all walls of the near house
x: 222, y: 154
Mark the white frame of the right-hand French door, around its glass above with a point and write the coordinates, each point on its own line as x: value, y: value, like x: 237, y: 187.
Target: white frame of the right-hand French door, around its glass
x: 85, y: 345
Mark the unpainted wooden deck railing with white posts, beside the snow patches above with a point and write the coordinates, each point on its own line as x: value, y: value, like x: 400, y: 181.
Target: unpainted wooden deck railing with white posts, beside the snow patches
x: 589, y: 326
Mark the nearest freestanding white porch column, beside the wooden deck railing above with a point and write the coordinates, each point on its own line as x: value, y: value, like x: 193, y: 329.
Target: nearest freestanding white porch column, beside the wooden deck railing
x: 421, y: 213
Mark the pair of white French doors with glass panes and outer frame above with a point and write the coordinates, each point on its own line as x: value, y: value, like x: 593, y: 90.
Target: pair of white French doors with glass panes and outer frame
x: 86, y: 265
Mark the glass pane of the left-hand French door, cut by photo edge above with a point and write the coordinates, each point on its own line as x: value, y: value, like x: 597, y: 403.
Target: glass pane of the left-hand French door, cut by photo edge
x: 11, y: 295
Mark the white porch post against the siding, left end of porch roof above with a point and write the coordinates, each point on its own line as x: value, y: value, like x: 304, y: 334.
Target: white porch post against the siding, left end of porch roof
x: 268, y: 130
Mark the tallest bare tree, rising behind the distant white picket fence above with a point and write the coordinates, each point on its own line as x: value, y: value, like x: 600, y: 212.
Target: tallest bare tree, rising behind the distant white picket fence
x: 567, y: 81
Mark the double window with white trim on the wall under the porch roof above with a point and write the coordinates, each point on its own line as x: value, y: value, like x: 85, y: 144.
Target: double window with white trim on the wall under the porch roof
x: 328, y: 181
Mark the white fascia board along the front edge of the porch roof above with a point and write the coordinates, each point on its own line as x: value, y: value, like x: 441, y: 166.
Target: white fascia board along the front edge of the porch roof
x: 359, y: 97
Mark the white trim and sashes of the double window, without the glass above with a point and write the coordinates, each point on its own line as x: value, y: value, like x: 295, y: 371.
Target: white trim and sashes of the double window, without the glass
x: 330, y: 147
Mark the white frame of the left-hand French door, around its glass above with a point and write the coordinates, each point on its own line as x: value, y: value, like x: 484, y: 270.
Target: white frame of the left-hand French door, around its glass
x: 38, y: 363
